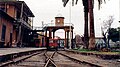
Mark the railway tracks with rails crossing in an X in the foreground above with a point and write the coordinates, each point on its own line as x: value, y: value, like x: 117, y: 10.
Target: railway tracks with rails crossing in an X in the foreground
x: 50, y: 59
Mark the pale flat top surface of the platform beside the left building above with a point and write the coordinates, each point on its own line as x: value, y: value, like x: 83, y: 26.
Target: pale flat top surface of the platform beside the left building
x: 6, y: 51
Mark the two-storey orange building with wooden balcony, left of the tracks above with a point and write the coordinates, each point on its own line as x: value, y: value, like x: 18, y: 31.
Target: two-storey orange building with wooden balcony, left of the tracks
x: 16, y: 23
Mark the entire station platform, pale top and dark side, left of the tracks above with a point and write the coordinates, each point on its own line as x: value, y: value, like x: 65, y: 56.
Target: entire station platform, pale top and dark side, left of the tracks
x: 11, y: 55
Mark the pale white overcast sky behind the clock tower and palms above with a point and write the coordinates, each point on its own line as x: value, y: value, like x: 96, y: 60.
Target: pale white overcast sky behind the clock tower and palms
x: 47, y: 10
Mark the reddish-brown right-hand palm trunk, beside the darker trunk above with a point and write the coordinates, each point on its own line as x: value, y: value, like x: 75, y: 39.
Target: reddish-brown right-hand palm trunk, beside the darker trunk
x: 92, y: 33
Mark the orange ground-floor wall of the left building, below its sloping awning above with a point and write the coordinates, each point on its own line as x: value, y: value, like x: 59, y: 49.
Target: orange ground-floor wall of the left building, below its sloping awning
x: 6, y: 28
